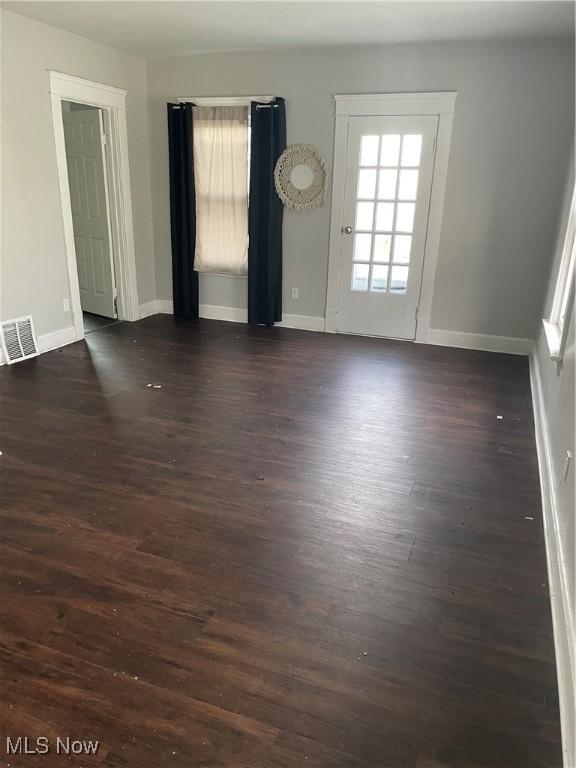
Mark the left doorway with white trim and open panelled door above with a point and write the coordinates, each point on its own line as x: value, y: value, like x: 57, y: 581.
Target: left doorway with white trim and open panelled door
x: 91, y: 138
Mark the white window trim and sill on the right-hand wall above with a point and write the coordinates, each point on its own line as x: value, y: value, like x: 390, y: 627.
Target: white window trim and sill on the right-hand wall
x: 557, y: 325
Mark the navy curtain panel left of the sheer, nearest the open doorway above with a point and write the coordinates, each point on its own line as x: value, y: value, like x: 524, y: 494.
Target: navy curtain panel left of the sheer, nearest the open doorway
x: 182, y: 211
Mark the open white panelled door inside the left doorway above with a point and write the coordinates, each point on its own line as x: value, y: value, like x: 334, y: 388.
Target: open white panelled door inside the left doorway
x: 84, y: 138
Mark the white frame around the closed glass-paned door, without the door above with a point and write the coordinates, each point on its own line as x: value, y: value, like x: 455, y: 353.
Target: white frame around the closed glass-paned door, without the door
x: 441, y: 104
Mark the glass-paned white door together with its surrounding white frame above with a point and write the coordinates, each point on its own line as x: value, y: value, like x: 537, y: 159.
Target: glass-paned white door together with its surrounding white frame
x: 390, y: 166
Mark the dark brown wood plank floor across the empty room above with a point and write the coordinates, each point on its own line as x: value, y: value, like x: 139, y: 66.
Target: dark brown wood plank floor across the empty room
x: 299, y: 550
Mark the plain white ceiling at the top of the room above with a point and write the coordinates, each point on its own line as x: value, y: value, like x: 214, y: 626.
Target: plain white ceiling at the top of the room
x: 159, y: 28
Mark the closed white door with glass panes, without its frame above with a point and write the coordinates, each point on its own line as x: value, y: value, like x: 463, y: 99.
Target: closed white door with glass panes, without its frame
x: 389, y: 167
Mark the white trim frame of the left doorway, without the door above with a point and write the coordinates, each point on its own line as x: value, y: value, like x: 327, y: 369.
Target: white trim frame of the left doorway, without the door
x: 112, y: 102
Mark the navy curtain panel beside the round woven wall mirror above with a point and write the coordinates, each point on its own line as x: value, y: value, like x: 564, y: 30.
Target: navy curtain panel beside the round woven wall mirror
x: 268, y: 141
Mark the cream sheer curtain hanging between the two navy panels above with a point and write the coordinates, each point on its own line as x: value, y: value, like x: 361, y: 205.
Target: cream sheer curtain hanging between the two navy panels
x: 221, y: 141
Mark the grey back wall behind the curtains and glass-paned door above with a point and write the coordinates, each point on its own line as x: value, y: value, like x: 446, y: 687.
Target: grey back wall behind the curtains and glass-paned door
x: 509, y: 147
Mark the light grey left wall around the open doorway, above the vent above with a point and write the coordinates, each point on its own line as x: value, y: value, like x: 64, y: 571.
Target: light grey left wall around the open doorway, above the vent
x: 33, y: 260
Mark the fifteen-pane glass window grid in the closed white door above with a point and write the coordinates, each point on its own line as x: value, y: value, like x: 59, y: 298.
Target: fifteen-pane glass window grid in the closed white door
x: 386, y: 216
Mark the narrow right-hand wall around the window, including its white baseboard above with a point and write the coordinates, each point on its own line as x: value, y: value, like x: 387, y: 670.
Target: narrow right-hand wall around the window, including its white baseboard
x: 554, y: 392
